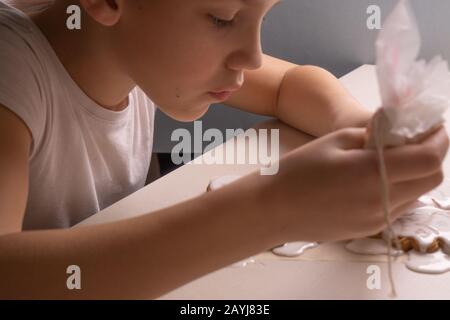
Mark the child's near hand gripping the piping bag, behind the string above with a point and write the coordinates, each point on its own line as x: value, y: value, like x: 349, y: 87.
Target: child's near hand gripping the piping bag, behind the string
x: 330, y: 189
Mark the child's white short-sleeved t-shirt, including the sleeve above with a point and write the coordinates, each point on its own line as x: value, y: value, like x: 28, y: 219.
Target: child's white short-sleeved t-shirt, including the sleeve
x: 83, y: 157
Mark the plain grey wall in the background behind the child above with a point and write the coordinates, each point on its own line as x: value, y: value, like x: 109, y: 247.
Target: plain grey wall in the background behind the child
x: 328, y: 33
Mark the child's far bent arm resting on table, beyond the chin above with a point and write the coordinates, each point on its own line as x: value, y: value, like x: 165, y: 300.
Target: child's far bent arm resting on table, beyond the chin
x: 308, y: 98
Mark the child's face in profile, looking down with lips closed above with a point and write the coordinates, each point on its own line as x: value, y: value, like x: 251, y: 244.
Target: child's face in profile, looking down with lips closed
x: 177, y: 52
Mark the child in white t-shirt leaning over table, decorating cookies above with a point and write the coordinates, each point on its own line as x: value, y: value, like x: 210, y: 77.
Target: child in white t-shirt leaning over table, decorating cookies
x: 76, y: 134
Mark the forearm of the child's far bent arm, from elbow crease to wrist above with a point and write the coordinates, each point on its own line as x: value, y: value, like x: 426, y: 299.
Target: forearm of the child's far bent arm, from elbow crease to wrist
x: 313, y: 100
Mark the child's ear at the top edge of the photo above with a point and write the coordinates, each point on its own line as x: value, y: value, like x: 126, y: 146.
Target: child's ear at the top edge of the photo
x: 105, y: 12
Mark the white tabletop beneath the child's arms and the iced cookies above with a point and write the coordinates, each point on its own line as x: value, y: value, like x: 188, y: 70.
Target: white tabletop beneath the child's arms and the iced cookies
x: 326, y: 272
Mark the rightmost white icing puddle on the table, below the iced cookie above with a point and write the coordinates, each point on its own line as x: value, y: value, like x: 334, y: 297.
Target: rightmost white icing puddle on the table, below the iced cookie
x: 432, y: 263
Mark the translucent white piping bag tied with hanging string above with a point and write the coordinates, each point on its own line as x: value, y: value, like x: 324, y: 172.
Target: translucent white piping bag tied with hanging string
x: 414, y: 94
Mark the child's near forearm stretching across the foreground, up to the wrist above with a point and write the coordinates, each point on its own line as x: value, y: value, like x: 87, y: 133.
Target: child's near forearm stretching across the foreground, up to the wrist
x: 143, y: 257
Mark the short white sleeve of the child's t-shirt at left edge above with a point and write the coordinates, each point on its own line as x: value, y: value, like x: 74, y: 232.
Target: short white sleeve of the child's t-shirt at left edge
x: 20, y: 84
